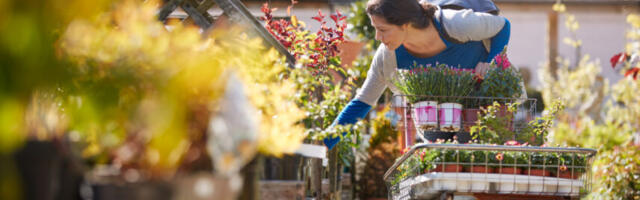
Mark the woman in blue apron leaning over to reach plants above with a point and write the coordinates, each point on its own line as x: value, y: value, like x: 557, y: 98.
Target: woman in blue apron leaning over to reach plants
x: 419, y: 32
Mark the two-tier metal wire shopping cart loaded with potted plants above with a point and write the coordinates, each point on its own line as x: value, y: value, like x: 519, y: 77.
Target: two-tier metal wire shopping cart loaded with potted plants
x: 431, y: 171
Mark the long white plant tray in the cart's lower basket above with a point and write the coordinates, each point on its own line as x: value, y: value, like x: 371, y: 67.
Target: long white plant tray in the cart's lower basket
x: 431, y: 185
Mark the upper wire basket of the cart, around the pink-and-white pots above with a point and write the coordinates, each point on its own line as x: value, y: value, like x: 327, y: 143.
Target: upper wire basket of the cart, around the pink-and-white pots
x: 429, y: 118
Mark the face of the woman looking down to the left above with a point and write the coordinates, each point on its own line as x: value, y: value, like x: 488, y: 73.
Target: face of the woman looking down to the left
x: 390, y: 35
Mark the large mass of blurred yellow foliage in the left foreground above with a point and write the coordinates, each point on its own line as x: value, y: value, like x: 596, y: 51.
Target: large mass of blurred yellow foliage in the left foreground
x: 170, y: 80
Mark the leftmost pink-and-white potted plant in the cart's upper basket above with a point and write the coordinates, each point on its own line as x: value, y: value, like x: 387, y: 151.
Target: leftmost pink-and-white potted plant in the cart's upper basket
x: 417, y: 84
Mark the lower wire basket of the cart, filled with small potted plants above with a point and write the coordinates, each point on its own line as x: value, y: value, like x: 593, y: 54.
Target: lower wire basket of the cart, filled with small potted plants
x: 427, y: 171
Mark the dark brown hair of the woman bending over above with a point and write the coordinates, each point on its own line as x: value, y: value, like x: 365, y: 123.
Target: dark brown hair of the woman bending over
x: 400, y: 12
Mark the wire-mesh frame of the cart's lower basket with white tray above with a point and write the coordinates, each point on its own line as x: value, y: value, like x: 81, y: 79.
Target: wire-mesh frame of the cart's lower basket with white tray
x: 406, y: 180
